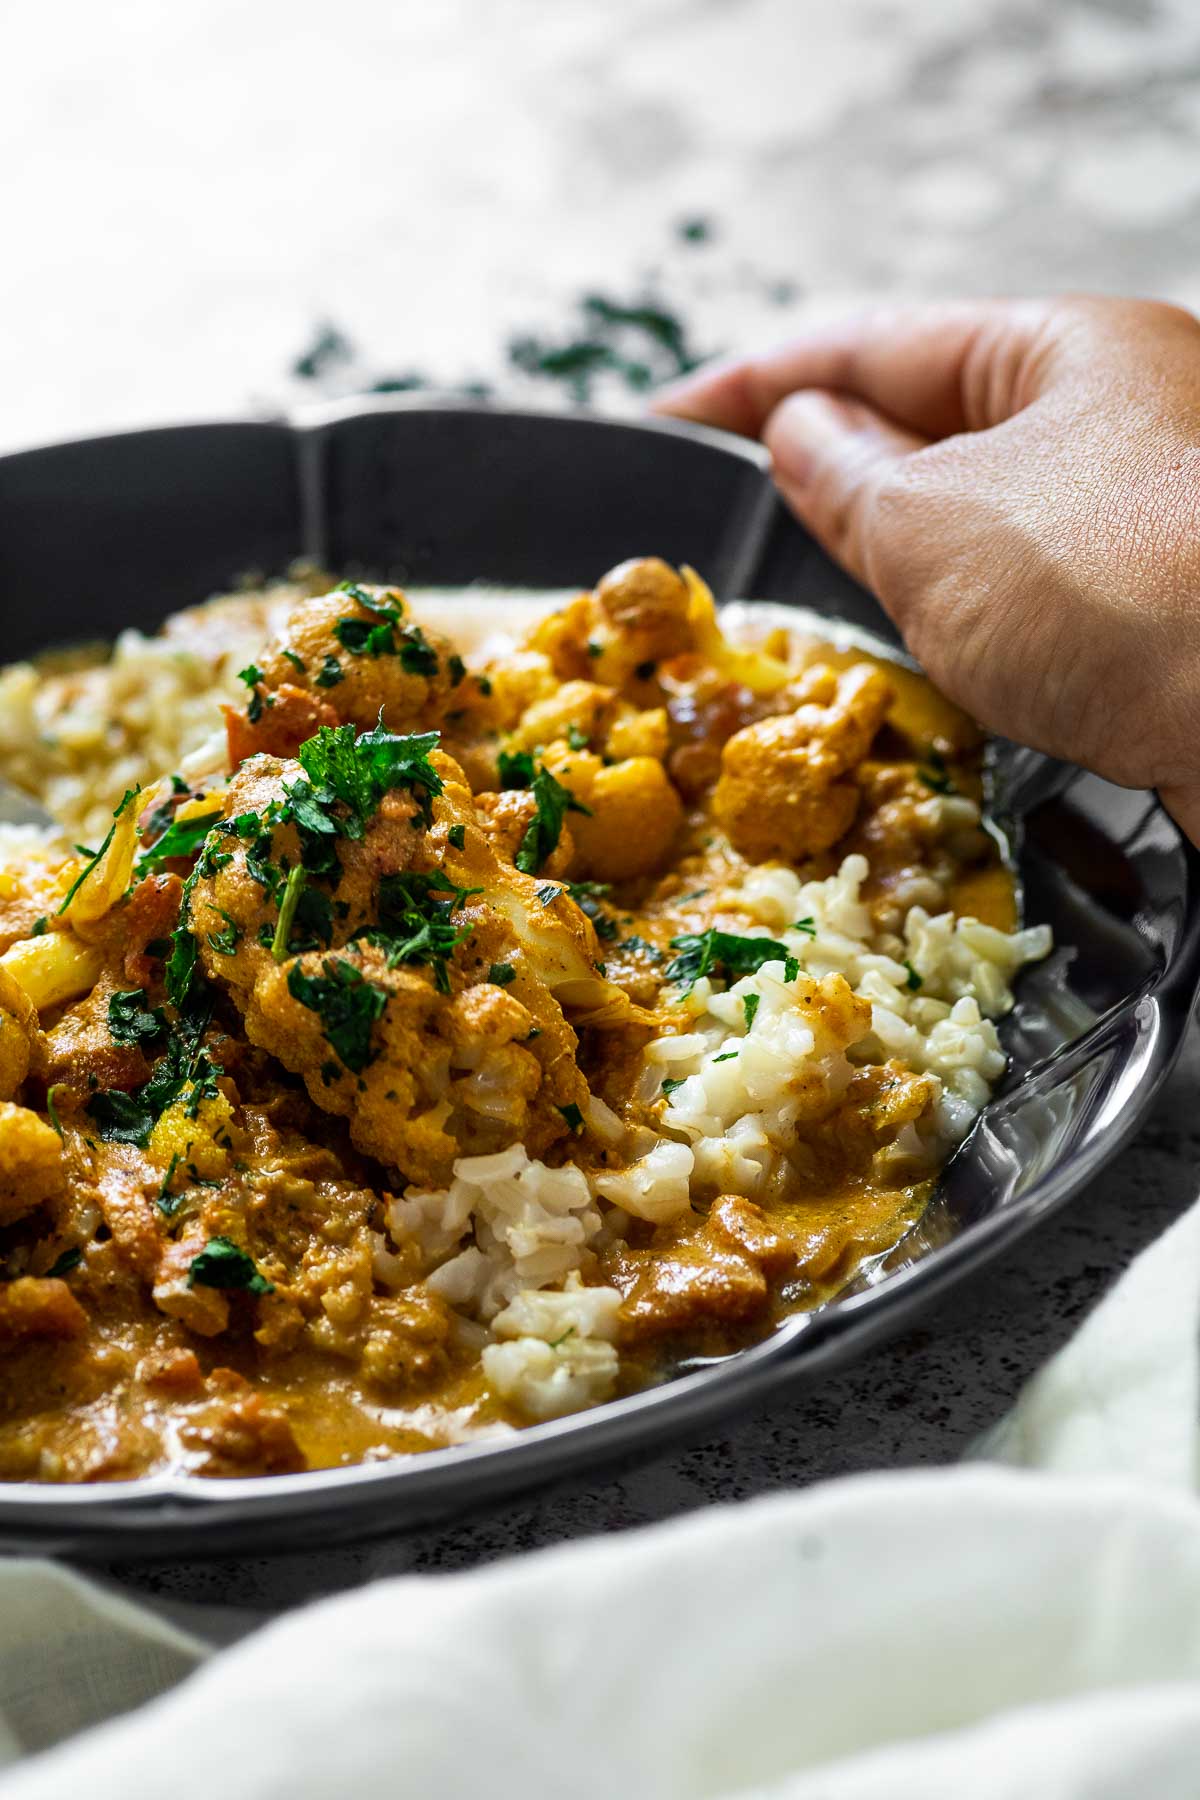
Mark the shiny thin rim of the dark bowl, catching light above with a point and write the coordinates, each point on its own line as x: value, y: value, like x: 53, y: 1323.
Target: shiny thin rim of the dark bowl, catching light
x: 161, y: 1515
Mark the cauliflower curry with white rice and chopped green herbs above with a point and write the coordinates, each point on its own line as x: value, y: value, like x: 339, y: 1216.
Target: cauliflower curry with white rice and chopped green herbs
x: 458, y: 1039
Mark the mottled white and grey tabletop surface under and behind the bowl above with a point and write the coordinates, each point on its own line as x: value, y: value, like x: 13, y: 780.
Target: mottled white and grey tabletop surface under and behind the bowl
x: 190, y: 190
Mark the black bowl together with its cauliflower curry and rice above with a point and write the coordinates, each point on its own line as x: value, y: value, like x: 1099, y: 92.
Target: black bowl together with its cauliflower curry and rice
x: 488, y: 996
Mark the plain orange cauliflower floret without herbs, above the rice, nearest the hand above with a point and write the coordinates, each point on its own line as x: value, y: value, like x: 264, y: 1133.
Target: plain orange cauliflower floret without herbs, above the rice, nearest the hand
x: 787, y: 784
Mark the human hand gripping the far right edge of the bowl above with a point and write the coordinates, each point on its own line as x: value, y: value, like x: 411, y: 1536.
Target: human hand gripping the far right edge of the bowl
x: 1019, y: 483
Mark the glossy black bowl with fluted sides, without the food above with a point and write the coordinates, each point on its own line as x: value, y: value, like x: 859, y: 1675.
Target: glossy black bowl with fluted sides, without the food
x: 123, y: 530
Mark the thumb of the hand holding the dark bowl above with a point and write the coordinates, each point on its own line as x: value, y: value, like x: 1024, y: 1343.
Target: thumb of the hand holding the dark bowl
x: 830, y: 458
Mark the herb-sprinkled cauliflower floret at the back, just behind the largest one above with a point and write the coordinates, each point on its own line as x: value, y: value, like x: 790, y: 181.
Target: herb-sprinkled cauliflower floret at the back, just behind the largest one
x: 359, y: 651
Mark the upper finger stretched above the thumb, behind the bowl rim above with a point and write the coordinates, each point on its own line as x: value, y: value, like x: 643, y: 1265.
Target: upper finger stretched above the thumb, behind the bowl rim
x: 938, y: 370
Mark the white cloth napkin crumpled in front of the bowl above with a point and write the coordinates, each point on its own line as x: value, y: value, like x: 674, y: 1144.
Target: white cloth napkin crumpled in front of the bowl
x: 985, y: 1632
